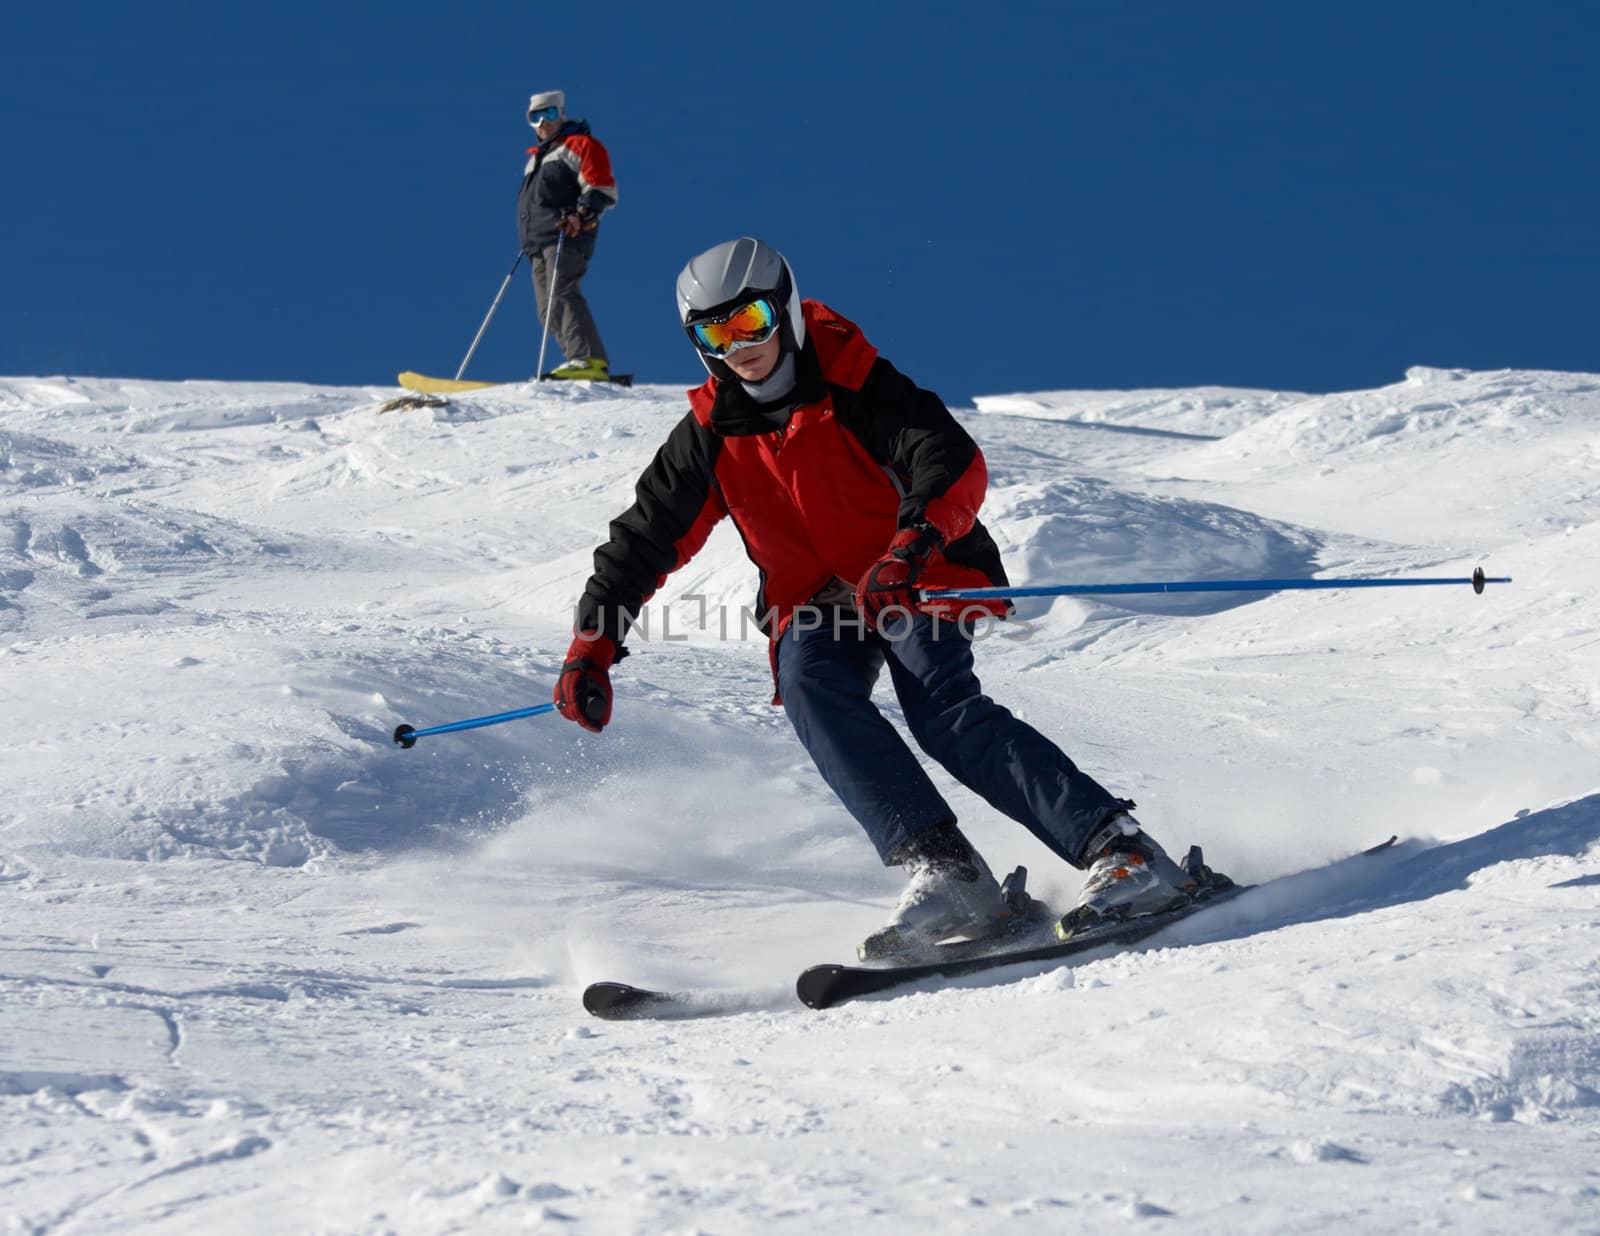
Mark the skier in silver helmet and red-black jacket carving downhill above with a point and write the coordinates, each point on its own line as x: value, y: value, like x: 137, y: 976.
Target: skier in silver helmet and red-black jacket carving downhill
x: 854, y: 489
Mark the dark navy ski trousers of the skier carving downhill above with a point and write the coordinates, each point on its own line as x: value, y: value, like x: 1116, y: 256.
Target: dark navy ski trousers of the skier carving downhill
x: 826, y: 676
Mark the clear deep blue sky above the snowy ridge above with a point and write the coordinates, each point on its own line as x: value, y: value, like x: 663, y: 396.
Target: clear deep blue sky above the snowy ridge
x: 1153, y: 193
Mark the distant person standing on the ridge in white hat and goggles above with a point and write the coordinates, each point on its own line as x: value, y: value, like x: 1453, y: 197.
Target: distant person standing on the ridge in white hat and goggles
x: 566, y: 188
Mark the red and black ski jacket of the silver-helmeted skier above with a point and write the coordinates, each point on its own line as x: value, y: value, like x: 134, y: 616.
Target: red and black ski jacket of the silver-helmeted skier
x: 817, y: 486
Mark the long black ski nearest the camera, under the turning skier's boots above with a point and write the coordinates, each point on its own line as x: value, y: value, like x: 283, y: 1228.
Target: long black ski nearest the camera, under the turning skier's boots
x: 823, y: 987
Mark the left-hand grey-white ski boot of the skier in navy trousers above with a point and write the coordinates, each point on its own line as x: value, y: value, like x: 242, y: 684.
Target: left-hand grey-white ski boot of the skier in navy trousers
x: 950, y: 893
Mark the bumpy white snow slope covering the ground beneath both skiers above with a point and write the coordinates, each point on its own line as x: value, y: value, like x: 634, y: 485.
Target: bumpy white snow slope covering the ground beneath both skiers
x: 263, y: 973
